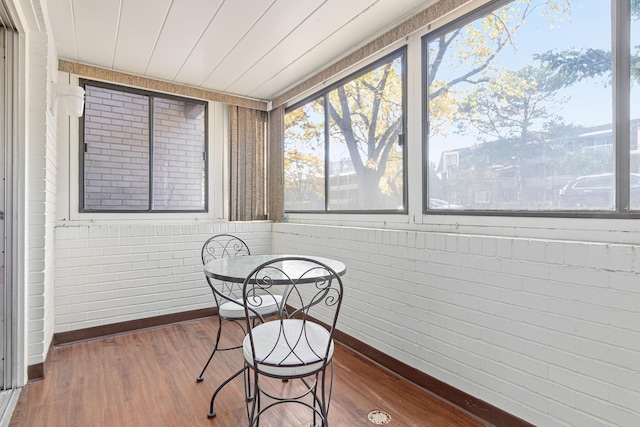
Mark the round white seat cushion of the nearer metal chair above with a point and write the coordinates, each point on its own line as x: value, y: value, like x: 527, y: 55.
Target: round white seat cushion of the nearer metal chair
x: 310, y: 347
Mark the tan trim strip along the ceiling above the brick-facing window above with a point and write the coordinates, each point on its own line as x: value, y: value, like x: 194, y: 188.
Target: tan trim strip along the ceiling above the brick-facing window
x: 112, y: 76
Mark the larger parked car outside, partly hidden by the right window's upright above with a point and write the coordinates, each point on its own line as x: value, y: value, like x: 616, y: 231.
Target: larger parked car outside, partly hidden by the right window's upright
x: 595, y: 192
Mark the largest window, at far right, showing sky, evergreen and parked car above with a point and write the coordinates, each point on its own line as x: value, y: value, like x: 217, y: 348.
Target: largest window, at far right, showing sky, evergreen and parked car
x: 526, y: 111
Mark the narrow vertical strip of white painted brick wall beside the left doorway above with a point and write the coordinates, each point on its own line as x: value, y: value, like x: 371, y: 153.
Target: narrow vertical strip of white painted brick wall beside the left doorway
x: 41, y: 188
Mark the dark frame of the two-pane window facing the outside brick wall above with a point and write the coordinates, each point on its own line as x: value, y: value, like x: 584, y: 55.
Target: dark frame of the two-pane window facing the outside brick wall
x: 151, y: 96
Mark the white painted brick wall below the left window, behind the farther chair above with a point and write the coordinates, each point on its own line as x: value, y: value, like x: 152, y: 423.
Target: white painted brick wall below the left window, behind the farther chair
x: 114, y: 273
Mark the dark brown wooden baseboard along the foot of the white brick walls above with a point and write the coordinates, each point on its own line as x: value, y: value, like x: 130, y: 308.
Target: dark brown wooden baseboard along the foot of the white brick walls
x: 481, y: 410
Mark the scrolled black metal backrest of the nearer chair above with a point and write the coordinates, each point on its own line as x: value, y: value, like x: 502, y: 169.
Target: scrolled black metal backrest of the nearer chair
x: 311, y: 295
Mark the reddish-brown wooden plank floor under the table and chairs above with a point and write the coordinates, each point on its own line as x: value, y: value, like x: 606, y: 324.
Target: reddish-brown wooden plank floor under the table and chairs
x: 147, y: 378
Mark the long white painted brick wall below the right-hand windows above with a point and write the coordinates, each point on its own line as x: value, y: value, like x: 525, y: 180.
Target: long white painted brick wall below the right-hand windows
x: 546, y: 330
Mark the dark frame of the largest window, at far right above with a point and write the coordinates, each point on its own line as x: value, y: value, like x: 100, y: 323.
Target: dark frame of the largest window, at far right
x: 621, y: 121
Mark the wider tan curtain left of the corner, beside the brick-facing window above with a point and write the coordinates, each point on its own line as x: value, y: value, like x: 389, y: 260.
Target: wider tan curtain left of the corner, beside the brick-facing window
x: 248, y: 134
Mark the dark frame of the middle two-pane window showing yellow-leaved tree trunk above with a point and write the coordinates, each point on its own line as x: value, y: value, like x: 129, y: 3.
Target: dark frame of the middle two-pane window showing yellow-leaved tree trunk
x: 402, y: 54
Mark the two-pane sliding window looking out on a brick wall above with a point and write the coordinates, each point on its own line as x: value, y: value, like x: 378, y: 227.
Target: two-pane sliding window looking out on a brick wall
x: 141, y: 151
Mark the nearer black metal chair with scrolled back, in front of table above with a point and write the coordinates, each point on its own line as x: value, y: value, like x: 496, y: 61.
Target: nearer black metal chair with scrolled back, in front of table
x: 301, y: 297
